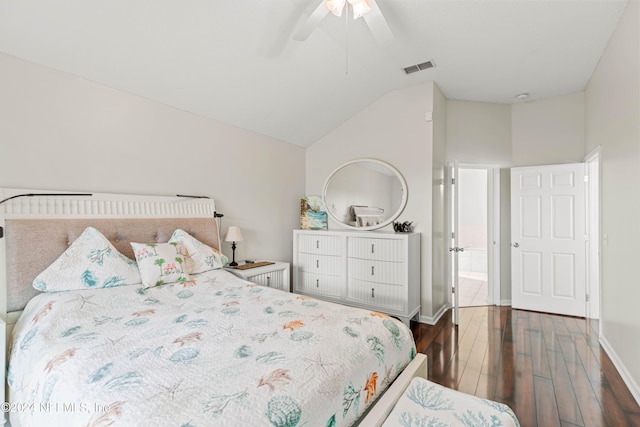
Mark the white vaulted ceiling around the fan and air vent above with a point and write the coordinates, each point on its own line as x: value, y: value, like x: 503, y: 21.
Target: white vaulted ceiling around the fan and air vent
x: 235, y: 61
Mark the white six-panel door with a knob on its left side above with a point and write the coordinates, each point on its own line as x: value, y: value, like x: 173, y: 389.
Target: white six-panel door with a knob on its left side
x: 548, y: 239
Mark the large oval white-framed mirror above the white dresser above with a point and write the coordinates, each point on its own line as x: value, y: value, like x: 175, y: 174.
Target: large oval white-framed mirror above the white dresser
x: 365, y: 194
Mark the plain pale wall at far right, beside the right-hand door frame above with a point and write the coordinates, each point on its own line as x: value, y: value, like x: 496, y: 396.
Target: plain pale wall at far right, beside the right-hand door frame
x: 613, y: 123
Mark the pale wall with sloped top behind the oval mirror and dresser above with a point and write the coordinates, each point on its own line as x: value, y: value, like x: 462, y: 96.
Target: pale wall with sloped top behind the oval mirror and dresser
x: 392, y: 129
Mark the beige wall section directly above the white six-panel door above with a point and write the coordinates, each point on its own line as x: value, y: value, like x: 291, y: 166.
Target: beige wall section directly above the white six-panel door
x: 548, y: 131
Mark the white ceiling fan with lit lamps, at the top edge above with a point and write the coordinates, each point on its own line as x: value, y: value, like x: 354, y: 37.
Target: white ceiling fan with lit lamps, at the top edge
x: 365, y: 9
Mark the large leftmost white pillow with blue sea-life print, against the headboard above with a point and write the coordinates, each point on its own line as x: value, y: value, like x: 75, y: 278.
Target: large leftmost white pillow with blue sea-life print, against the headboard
x: 90, y: 262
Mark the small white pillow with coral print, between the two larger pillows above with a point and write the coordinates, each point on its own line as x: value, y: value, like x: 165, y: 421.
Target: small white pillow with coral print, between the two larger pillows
x: 161, y: 263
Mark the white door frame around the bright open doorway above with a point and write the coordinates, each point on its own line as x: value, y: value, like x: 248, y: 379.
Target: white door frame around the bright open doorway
x: 493, y: 229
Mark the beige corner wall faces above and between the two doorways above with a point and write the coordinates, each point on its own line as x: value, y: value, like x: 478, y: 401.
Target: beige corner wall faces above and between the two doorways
x: 546, y: 131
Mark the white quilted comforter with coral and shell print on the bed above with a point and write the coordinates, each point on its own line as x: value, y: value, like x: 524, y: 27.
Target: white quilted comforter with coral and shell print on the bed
x: 221, y: 351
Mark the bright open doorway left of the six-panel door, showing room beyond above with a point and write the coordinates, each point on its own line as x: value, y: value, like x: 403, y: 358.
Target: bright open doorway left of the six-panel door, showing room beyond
x: 473, y: 263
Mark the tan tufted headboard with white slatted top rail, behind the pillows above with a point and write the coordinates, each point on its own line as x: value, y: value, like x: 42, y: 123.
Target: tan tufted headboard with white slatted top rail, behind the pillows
x: 38, y: 229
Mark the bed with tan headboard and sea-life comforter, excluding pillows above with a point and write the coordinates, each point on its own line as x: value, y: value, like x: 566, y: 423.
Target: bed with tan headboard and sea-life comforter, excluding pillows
x: 211, y: 349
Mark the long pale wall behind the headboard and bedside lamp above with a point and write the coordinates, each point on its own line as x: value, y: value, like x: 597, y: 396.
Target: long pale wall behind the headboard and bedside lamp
x: 61, y: 132
